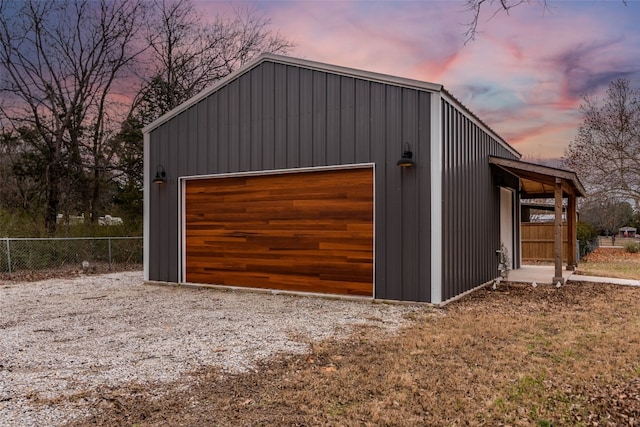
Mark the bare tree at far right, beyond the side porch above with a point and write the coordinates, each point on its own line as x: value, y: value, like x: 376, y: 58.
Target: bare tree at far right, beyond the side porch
x: 606, y: 152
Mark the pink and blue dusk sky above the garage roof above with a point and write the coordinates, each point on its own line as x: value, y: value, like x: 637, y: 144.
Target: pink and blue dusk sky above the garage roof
x: 524, y: 74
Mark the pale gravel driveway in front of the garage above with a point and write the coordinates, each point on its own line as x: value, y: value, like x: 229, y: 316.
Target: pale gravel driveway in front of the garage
x: 61, y: 338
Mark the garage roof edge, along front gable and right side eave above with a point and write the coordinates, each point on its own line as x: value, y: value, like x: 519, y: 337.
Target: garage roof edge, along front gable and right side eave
x: 334, y: 69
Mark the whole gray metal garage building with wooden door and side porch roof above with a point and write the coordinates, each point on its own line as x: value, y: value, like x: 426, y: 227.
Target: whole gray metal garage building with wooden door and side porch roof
x: 296, y: 175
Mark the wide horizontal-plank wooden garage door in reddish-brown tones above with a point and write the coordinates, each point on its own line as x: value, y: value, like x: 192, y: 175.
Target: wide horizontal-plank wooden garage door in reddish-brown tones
x: 306, y: 231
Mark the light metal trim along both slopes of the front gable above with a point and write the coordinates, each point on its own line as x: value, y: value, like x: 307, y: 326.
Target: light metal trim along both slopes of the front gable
x: 303, y: 63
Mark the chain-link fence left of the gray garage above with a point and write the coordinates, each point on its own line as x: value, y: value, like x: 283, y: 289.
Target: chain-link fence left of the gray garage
x: 87, y: 254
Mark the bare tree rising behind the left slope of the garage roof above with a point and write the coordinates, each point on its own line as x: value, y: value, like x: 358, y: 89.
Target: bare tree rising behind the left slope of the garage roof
x: 188, y: 54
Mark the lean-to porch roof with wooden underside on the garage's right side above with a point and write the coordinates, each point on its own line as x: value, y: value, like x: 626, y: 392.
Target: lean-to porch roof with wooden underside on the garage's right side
x: 538, y: 181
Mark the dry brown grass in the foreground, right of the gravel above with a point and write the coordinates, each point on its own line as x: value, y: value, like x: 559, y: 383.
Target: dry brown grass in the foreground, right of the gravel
x: 516, y: 356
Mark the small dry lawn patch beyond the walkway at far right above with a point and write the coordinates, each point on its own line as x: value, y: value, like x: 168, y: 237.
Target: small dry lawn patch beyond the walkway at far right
x: 611, y: 262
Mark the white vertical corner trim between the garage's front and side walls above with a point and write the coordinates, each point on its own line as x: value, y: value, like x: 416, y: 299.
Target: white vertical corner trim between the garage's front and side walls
x: 436, y: 198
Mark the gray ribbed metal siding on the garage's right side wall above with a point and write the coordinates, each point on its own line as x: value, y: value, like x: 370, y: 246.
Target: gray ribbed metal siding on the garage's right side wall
x: 471, y: 203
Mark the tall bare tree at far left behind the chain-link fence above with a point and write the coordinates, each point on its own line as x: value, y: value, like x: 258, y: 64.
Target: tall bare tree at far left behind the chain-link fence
x: 60, y: 64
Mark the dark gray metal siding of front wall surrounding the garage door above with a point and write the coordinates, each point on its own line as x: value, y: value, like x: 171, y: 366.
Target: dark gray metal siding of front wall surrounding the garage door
x: 279, y: 116
